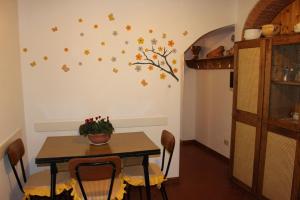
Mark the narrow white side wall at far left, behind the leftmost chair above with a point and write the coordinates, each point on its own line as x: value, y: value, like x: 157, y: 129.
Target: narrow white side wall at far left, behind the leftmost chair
x: 11, y: 101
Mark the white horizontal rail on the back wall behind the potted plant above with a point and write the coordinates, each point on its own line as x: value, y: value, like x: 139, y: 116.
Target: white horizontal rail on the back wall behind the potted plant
x: 54, y: 126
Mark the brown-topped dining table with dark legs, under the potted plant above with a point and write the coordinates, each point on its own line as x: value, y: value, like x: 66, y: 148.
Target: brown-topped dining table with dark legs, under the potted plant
x: 60, y: 149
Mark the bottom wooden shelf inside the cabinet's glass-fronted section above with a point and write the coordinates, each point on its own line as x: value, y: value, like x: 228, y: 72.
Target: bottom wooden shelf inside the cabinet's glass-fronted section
x: 286, y: 123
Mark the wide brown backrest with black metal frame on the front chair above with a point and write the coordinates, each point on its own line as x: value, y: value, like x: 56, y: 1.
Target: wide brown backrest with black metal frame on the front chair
x: 93, y: 169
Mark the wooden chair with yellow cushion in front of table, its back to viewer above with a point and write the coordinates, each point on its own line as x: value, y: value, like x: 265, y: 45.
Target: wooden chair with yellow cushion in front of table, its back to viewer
x: 97, y: 178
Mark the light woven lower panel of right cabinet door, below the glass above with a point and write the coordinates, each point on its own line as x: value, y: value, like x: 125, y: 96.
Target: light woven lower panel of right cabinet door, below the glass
x: 279, y: 167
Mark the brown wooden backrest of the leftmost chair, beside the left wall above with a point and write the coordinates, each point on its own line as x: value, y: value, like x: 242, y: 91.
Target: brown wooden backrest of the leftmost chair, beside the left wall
x: 15, y: 151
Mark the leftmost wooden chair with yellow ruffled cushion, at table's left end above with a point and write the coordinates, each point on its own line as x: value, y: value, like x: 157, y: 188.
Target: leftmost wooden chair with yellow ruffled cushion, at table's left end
x: 38, y: 184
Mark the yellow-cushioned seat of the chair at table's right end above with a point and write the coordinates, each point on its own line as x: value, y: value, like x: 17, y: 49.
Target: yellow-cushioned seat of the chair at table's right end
x: 134, y: 175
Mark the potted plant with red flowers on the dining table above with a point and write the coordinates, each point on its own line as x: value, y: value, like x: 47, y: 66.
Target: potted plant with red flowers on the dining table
x: 98, y: 130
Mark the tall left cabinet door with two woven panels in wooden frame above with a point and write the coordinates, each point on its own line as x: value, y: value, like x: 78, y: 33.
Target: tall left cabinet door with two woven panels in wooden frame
x: 247, y: 112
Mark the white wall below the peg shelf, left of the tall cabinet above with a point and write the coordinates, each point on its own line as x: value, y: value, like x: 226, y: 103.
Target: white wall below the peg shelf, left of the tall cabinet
x: 214, y: 108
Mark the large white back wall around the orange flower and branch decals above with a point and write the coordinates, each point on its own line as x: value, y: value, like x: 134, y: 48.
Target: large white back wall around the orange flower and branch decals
x: 51, y: 94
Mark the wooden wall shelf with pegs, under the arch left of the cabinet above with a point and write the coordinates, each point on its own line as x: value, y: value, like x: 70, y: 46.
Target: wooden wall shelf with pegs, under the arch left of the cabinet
x: 225, y: 62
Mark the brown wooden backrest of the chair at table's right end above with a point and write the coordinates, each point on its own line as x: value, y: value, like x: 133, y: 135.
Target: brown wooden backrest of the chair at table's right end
x: 168, y: 142
